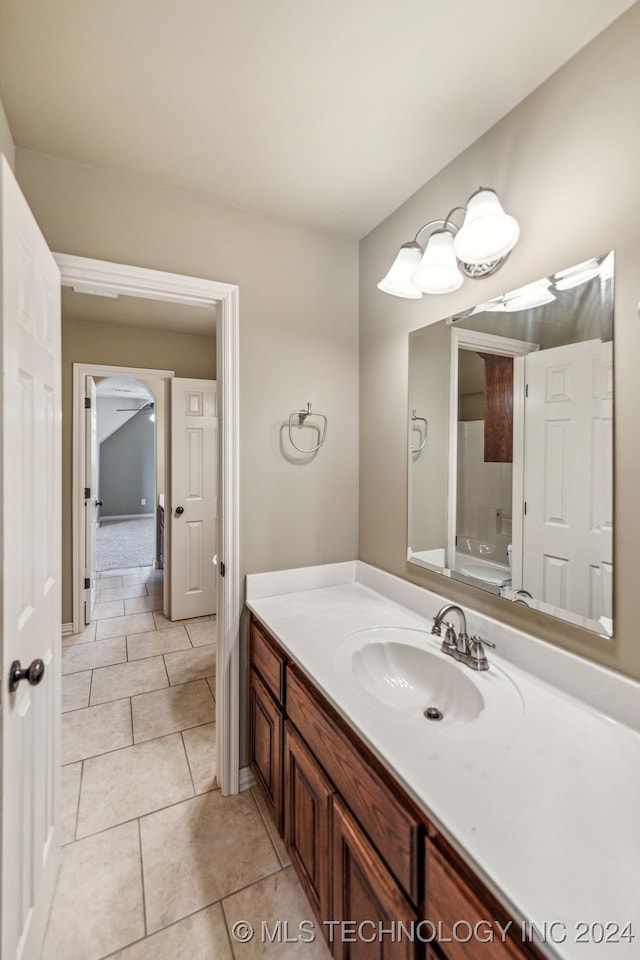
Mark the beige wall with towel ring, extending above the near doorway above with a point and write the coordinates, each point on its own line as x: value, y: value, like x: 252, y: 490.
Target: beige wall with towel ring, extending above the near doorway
x: 298, y: 338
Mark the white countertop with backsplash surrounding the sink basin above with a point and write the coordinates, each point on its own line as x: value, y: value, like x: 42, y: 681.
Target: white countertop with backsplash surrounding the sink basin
x: 546, y: 806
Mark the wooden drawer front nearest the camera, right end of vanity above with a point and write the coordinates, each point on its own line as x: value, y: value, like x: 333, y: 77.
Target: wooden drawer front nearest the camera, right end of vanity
x: 451, y: 901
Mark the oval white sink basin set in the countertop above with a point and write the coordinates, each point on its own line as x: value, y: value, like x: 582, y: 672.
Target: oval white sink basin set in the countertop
x: 404, y: 672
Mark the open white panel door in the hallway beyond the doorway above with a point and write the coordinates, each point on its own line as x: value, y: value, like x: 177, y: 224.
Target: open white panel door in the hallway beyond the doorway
x: 194, y: 497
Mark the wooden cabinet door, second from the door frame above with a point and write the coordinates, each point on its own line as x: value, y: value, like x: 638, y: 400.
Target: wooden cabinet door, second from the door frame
x: 307, y: 817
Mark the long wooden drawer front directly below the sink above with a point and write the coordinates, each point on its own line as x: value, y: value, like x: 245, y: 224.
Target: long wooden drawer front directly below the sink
x: 392, y: 828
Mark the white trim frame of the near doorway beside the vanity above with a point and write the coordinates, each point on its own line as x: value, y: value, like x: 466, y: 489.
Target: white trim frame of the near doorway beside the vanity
x: 101, y: 276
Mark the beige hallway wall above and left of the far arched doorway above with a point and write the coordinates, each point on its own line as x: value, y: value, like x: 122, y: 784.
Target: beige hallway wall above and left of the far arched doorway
x: 117, y: 345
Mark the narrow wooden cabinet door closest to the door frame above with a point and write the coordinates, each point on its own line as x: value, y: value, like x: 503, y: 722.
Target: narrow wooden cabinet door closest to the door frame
x: 266, y: 725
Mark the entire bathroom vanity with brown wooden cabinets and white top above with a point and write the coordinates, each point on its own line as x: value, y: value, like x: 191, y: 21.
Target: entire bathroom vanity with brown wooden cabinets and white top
x: 478, y: 835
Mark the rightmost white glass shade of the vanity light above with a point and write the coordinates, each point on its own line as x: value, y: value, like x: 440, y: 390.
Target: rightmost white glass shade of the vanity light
x: 487, y: 233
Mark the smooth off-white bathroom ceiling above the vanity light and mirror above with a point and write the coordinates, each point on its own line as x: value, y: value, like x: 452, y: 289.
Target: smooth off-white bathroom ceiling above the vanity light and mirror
x: 327, y: 112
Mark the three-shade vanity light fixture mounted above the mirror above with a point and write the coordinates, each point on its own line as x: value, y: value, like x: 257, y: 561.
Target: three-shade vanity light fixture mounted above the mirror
x: 475, y: 249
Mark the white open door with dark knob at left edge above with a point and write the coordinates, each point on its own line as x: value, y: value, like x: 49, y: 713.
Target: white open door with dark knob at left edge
x: 31, y: 557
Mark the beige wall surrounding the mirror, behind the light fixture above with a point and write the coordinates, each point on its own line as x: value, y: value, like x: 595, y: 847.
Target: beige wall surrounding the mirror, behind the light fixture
x: 565, y: 162
